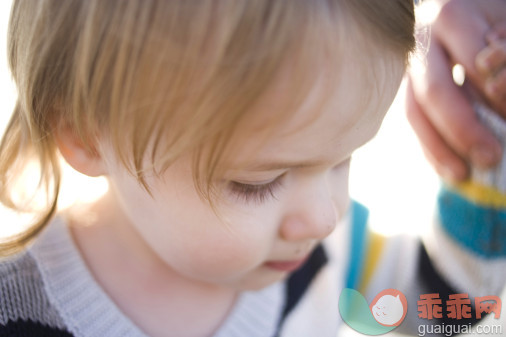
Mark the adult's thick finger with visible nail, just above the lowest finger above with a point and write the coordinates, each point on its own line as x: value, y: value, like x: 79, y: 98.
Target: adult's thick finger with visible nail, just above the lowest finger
x: 449, y: 111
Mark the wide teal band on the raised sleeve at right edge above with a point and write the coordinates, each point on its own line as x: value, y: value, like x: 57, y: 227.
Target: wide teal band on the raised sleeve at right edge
x: 480, y: 229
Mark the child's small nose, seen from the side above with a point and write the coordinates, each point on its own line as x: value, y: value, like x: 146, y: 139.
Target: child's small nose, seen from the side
x: 313, y: 214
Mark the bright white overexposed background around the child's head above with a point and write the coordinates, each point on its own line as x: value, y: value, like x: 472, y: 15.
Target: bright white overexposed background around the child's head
x: 389, y: 174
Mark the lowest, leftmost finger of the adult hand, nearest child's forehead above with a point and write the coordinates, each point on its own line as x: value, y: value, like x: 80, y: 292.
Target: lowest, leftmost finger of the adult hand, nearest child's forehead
x: 446, y: 162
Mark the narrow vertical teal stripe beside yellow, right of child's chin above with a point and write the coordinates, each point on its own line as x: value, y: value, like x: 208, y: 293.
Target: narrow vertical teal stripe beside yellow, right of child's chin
x: 359, y: 239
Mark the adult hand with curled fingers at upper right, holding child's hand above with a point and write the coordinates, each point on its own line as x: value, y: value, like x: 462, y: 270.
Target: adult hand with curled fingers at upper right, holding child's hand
x: 439, y: 110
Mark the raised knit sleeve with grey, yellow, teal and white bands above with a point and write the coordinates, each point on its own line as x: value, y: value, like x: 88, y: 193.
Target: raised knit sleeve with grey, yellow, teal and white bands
x: 467, y: 244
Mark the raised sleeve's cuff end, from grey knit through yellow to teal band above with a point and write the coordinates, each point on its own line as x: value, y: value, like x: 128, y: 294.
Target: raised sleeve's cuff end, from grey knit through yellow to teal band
x: 473, y: 213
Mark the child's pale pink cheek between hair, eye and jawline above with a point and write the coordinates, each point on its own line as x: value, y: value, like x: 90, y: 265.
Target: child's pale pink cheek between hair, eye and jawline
x: 188, y: 236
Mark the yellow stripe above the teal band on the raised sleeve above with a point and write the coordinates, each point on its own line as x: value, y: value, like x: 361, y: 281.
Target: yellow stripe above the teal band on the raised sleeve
x: 482, y: 195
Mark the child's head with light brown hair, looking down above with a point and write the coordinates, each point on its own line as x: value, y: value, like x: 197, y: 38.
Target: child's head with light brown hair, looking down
x: 251, y: 108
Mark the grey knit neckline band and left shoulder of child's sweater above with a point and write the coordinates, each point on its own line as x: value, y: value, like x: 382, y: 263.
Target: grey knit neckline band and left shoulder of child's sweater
x: 50, y: 286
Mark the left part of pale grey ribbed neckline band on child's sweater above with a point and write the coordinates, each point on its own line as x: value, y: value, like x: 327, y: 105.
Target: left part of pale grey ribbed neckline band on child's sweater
x: 84, y: 306
